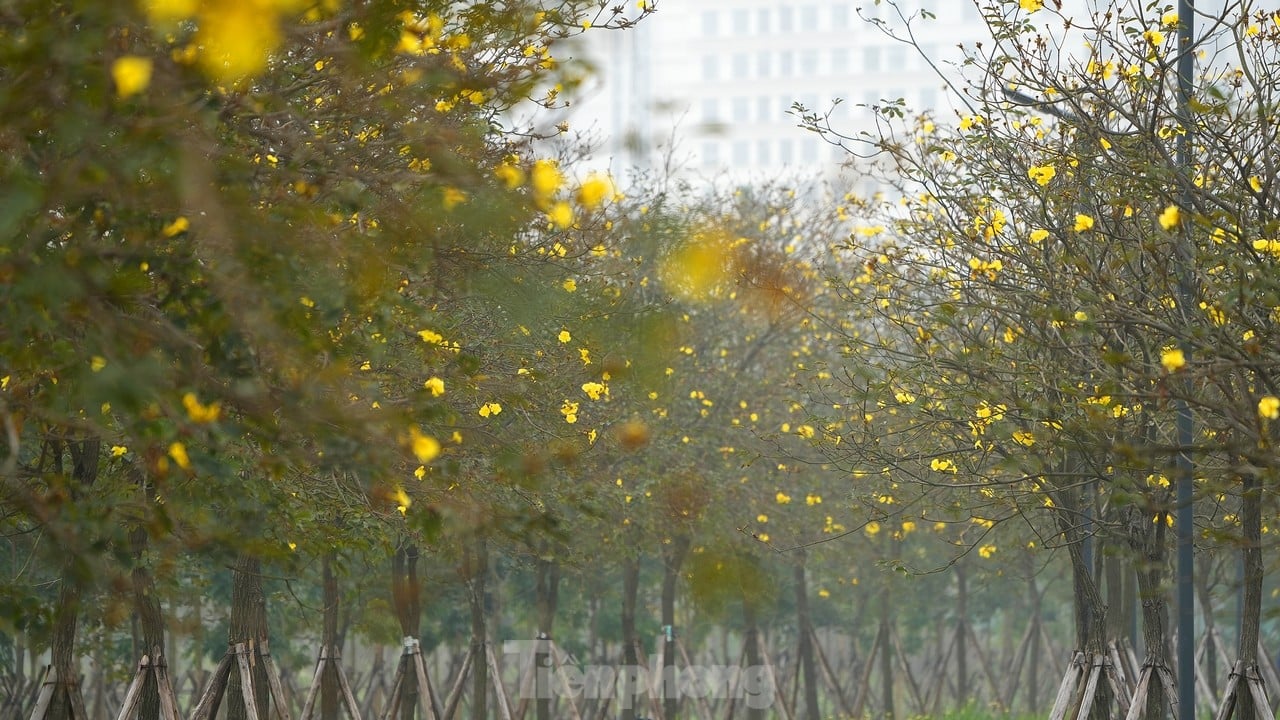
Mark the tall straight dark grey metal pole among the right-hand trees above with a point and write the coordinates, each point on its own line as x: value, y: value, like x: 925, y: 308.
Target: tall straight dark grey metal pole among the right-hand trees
x: 1186, y: 517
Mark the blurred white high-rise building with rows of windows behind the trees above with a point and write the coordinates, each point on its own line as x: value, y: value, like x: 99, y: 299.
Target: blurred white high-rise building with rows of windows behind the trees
x: 716, y: 79
